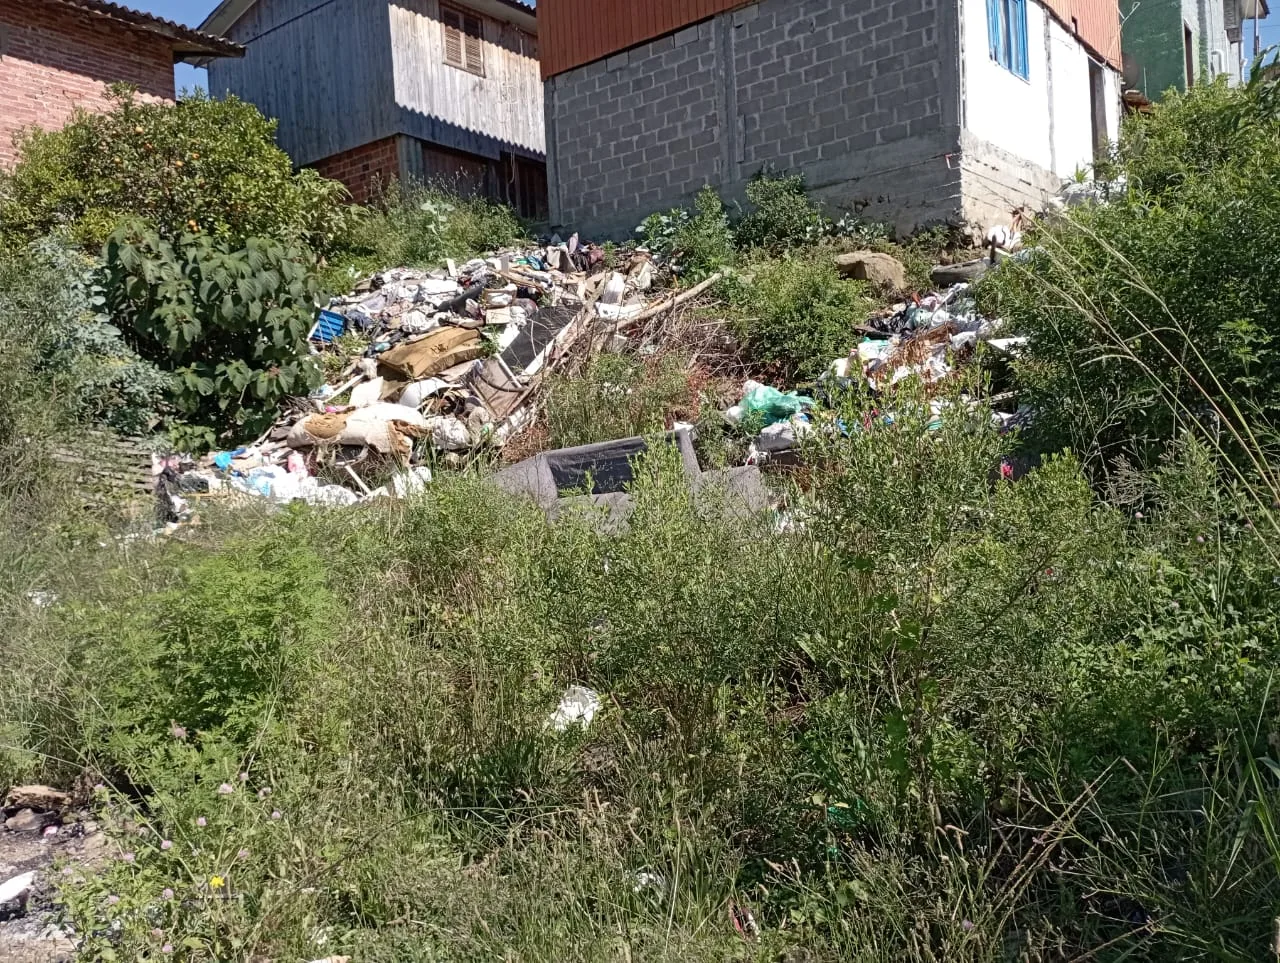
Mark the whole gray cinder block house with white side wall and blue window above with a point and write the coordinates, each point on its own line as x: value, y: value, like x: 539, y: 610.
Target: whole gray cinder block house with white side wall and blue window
x: 913, y: 112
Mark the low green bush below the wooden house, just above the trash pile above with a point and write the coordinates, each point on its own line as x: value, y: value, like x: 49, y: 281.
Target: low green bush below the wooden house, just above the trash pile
x: 419, y: 225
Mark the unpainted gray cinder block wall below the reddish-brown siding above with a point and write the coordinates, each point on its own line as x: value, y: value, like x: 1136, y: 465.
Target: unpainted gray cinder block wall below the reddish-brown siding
x: 863, y: 99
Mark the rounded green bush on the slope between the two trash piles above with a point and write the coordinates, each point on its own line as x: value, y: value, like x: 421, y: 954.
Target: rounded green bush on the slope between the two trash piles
x: 797, y: 316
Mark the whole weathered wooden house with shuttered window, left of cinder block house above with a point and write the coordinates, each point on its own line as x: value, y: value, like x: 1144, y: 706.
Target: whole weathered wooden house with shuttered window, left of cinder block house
x: 368, y: 92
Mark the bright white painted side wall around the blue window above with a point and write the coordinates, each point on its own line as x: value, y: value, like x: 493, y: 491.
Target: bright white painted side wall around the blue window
x: 1045, y: 120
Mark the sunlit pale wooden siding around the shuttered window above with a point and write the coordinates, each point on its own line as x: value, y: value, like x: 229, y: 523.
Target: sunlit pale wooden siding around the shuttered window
x: 499, y: 112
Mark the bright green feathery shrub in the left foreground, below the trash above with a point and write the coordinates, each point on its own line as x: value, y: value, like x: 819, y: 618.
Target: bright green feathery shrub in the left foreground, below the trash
x: 217, y: 652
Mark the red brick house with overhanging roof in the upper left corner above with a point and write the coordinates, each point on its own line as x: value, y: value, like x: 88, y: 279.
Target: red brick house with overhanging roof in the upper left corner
x: 58, y: 56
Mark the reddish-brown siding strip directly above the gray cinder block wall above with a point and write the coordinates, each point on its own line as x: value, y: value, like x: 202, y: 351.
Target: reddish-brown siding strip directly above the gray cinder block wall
x: 577, y: 33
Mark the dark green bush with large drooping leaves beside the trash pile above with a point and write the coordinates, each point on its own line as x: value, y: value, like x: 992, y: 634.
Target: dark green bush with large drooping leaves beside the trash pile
x: 231, y: 325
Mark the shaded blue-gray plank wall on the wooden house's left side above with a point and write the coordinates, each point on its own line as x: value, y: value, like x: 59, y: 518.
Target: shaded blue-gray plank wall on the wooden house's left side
x: 322, y: 67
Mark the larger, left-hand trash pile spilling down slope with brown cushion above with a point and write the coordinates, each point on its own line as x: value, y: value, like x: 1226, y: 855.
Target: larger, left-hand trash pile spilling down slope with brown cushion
x: 449, y: 363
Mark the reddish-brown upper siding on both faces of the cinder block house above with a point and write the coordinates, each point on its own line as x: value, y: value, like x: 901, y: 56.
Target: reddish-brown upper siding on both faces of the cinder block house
x: 577, y: 33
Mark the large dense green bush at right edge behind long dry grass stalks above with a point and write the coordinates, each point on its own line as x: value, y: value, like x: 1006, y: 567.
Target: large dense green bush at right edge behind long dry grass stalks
x: 1156, y: 312
